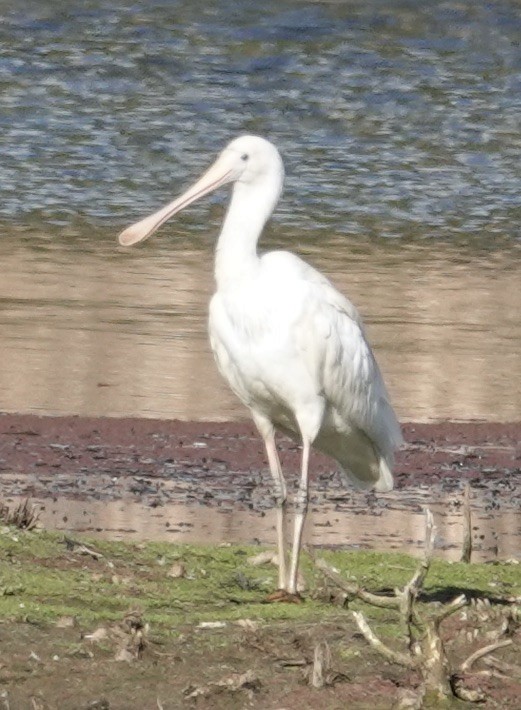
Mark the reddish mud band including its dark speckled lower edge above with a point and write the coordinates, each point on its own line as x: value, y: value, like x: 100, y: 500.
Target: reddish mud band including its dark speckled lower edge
x: 155, y: 463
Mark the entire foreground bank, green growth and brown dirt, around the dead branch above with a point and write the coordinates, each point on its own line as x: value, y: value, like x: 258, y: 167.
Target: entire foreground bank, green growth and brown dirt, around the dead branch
x: 96, y: 624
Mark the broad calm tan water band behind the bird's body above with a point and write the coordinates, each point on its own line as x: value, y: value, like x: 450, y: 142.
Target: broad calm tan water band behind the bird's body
x: 125, y: 333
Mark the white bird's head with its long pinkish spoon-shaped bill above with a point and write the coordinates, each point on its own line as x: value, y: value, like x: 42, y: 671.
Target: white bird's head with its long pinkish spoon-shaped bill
x: 248, y: 160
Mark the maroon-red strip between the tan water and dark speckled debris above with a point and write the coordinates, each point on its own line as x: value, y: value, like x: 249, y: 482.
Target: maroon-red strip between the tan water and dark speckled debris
x: 78, y: 447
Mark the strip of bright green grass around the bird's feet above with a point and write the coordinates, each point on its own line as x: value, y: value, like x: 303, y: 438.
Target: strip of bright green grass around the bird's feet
x: 41, y: 580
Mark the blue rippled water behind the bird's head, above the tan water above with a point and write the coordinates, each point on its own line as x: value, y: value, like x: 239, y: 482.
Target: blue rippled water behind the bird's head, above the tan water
x: 394, y: 120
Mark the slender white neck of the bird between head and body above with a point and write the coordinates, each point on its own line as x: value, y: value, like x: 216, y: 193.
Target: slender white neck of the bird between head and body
x: 236, y: 254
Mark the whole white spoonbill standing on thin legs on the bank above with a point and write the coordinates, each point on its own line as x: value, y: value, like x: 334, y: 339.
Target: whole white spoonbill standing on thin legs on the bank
x: 292, y: 348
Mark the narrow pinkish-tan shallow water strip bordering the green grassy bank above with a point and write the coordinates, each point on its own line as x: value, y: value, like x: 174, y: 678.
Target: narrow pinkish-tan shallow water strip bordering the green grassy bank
x: 397, y: 527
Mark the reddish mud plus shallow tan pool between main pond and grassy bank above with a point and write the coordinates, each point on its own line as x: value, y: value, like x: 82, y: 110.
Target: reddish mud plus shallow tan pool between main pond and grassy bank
x: 156, y: 479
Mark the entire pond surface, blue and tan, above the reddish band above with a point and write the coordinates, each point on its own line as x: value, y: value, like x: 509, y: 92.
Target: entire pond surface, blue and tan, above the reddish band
x: 399, y: 126
